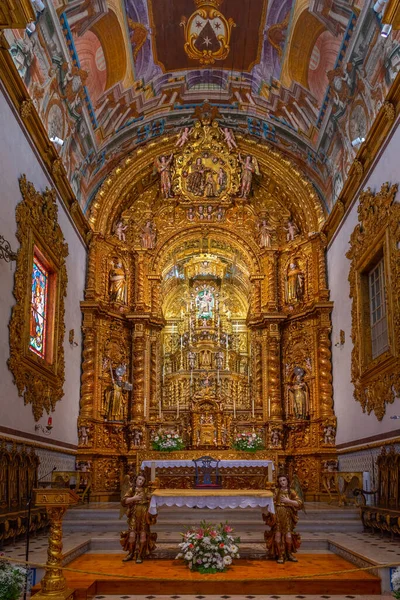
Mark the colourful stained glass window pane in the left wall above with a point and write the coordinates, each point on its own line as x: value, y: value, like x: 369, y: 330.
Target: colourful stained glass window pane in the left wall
x: 39, y: 308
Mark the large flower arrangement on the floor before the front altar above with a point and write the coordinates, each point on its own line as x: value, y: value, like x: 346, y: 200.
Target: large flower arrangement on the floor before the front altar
x: 209, y: 548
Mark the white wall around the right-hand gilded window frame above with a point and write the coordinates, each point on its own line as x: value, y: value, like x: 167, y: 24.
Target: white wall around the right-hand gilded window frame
x: 353, y: 424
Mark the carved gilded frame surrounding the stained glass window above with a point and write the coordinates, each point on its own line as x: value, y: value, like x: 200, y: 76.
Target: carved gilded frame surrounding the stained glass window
x: 39, y: 381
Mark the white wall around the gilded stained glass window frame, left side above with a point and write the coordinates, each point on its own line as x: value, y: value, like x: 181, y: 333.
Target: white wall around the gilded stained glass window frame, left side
x: 17, y: 157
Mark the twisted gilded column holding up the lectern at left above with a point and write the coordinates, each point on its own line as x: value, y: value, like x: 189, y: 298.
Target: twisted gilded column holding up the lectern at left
x: 54, y: 580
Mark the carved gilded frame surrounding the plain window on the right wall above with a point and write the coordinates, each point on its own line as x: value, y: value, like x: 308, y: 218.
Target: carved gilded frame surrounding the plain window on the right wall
x: 376, y: 381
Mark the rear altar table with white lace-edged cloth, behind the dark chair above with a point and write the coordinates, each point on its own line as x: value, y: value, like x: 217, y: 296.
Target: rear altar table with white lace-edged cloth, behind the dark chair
x: 235, y: 473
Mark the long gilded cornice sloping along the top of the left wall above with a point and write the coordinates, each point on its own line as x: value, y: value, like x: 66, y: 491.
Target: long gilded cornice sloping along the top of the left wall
x: 19, y: 97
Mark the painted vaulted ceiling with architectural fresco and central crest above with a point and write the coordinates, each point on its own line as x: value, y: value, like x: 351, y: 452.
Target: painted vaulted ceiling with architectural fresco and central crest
x: 305, y: 76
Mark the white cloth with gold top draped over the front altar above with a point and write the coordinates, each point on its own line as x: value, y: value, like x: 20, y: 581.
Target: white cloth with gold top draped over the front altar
x: 211, y: 499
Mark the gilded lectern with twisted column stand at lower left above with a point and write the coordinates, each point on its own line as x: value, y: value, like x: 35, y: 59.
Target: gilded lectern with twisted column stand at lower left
x: 56, y: 501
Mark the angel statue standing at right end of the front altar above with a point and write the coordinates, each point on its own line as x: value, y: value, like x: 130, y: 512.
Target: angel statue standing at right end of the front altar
x: 281, y: 540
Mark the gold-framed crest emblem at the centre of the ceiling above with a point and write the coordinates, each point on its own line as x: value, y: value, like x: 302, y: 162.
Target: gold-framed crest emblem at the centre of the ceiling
x: 207, y: 33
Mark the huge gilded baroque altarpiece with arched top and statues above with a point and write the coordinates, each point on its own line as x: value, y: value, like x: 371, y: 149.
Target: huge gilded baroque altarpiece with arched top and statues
x: 206, y: 308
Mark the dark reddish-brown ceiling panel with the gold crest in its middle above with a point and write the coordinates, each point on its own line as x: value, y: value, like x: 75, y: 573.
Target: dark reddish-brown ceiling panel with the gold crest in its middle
x: 214, y: 34
